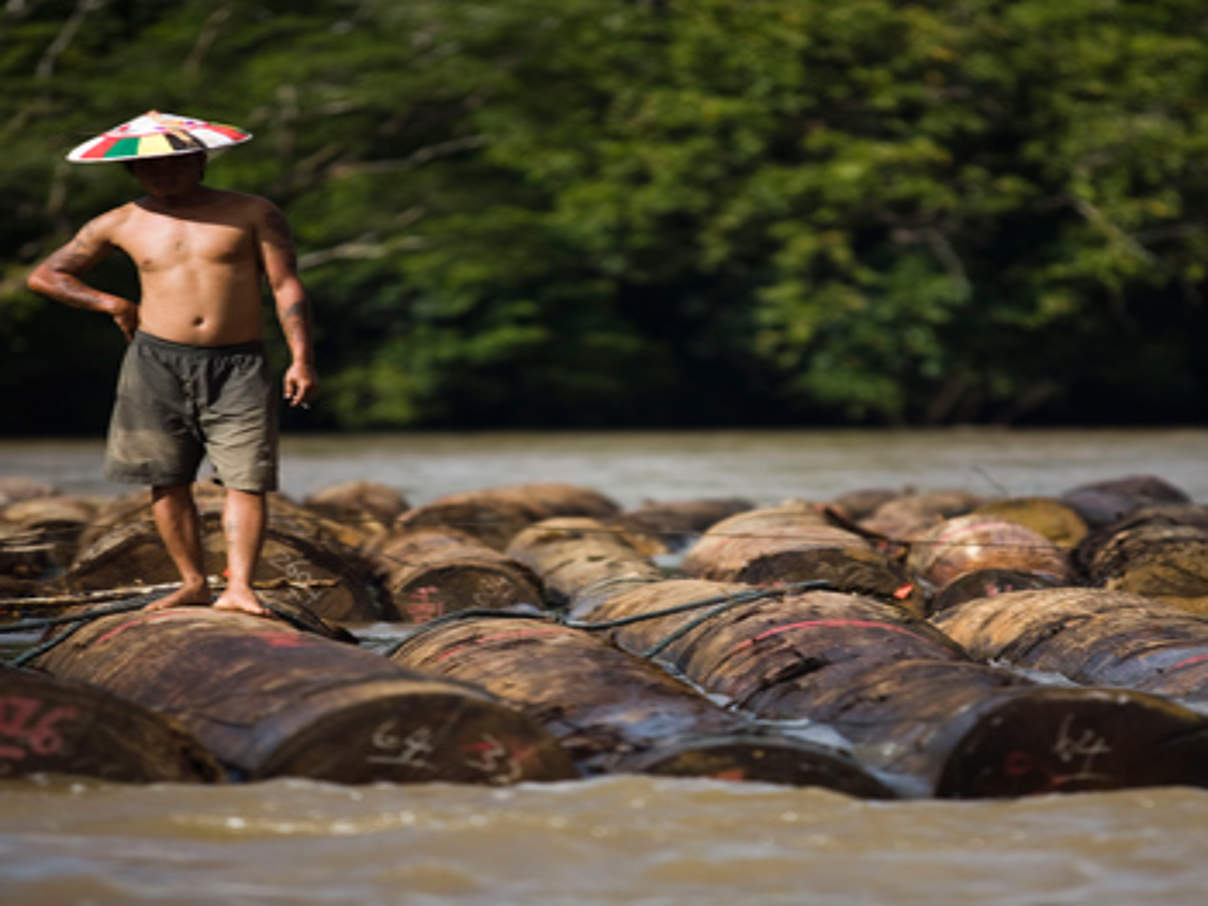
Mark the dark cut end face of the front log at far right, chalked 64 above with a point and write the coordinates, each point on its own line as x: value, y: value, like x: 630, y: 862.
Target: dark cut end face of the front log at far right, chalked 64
x: 1076, y: 740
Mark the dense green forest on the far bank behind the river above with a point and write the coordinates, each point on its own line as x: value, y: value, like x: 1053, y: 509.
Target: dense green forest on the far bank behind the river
x: 605, y: 213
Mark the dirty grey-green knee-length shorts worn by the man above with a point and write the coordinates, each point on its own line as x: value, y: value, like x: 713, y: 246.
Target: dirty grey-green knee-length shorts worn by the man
x: 178, y: 403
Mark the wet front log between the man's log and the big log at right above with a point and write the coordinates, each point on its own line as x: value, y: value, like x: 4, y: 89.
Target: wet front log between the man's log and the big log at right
x: 617, y: 713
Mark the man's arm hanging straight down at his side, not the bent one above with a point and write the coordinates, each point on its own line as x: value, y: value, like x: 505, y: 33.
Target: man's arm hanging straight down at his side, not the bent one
x: 280, y: 259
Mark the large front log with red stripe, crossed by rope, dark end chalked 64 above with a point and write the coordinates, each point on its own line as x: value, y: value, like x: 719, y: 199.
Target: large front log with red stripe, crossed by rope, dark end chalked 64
x: 909, y: 700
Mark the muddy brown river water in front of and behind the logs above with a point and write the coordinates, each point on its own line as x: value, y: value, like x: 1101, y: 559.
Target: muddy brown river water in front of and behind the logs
x: 623, y: 840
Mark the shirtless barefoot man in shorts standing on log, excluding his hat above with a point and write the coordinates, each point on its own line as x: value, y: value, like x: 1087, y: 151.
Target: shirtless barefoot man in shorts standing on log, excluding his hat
x: 194, y: 380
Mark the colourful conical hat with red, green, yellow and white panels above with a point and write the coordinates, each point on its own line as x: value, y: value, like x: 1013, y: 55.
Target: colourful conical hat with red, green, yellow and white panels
x: 156, y: 135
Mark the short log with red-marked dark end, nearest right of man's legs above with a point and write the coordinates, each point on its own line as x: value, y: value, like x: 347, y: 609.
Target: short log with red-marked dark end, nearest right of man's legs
x: 432, y: 573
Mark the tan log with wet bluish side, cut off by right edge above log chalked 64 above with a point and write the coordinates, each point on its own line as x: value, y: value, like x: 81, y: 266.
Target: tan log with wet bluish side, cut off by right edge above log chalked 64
x: 1089, y: 635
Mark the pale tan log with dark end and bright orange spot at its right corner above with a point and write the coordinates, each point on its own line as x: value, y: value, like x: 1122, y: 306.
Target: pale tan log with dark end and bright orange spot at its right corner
x: 795, y: 543
